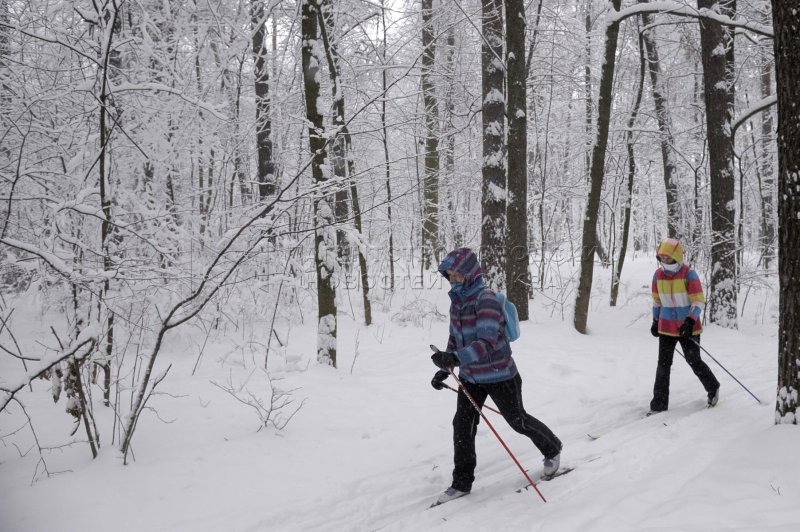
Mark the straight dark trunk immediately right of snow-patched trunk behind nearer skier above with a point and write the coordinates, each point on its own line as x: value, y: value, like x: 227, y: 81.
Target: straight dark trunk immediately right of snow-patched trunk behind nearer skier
x: 517, y: 273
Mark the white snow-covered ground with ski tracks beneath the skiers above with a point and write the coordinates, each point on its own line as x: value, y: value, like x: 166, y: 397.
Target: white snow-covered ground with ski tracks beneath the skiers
x: 370, y: 447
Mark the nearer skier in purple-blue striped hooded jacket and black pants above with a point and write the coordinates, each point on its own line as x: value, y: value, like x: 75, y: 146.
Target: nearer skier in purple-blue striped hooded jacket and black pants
x: 477, y: 344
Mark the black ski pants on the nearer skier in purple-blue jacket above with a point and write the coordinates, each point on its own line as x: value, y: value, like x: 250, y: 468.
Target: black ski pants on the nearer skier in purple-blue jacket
x: 507, y: 395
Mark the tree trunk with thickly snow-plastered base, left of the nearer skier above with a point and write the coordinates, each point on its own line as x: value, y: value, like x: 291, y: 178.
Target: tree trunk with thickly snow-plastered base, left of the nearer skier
x: 325, y: 238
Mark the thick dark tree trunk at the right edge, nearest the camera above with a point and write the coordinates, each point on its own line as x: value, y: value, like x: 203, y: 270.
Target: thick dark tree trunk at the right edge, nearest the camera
x: 786, y: 25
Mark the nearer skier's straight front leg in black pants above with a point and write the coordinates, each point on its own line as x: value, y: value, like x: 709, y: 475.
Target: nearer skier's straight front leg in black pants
x: 465, y: 425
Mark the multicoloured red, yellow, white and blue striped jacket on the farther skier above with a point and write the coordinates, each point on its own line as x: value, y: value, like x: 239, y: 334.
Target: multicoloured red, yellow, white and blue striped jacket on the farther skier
x: 676, y: 296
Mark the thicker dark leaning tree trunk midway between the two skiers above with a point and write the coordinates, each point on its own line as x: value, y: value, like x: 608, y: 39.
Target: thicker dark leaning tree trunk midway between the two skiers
x: 597, y: 173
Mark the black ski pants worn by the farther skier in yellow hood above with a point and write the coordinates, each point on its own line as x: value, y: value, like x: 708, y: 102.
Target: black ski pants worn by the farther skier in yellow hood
x: 691, y: 351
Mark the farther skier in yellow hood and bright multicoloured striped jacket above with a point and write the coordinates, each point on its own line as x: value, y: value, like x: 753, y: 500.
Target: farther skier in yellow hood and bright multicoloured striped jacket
x: 678, y: 301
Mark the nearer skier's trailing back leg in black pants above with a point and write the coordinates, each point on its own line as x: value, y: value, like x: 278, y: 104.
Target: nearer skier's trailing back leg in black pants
x: 507, y: 396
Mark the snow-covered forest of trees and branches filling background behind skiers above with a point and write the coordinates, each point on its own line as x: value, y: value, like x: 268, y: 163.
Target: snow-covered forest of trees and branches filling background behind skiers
x: 224, y: 166
